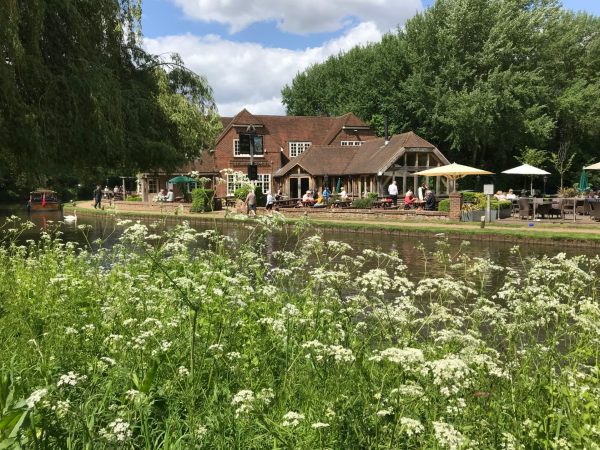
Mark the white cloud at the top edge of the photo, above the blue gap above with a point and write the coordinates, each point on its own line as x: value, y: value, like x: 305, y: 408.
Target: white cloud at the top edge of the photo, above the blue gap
x: 301, y: 17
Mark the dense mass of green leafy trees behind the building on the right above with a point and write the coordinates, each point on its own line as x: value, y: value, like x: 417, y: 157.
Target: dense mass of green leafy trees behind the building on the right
x: 483, y: 79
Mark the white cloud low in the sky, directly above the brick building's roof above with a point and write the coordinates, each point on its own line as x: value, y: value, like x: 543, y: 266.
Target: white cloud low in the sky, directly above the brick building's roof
x: 251, y: 75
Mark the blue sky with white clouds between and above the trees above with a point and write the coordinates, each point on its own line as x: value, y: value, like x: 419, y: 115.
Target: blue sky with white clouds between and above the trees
x: 249, y: 50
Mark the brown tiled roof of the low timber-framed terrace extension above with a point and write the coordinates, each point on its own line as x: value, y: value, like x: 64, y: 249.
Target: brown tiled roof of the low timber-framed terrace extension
x: 373, y: 156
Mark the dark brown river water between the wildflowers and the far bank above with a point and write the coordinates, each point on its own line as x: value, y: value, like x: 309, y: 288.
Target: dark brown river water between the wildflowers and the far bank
x: 103, y: 227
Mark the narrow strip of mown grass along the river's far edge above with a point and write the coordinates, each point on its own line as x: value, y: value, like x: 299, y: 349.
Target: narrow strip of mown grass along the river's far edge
x: 563, y: 234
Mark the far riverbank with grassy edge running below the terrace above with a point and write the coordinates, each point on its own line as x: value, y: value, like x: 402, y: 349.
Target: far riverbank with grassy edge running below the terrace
x: 555, y: 233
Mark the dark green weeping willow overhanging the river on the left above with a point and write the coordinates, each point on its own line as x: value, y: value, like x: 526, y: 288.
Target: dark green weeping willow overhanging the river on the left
x: 79, y: 96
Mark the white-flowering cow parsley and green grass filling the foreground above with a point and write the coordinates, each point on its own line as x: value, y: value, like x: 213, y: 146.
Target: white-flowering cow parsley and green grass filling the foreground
x: 154, y: 343
